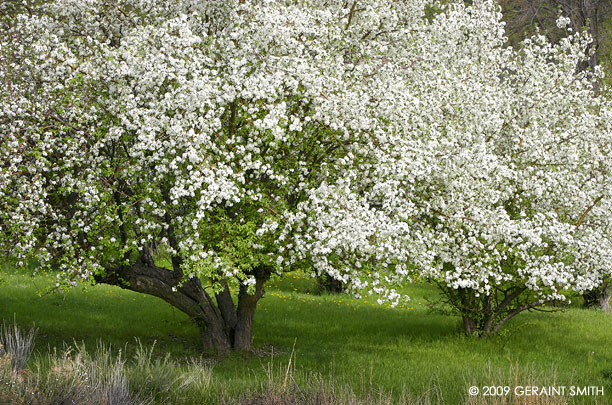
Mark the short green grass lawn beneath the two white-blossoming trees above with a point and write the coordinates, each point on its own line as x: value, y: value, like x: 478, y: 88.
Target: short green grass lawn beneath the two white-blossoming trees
x: 336, y: 339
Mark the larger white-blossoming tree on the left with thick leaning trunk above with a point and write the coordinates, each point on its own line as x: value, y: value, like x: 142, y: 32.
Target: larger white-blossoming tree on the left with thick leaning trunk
x: 195, y: 126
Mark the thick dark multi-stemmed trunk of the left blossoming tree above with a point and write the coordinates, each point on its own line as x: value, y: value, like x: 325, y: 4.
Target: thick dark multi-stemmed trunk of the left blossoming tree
x: 223, y: 327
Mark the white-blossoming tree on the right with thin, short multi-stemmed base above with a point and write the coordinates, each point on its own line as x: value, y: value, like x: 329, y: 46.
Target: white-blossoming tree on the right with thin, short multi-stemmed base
x: 492, y: 178
